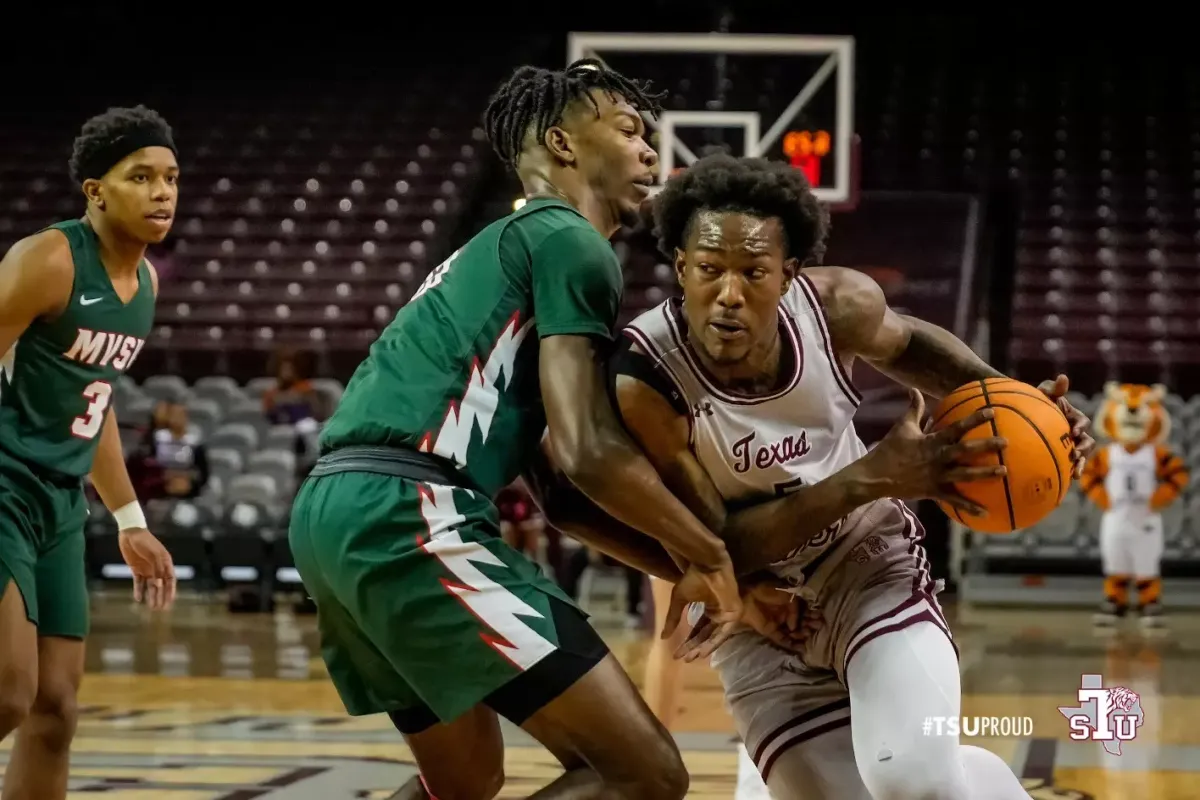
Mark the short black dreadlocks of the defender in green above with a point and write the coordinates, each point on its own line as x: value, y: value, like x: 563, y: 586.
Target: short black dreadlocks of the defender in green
x: 536, y: 99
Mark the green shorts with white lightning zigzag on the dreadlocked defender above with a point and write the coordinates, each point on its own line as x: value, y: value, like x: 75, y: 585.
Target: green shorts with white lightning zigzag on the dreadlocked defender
x: 424, y: 611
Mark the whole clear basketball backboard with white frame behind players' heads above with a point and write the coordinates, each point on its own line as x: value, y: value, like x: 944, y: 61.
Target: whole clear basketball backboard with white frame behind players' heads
x: 803, y: 113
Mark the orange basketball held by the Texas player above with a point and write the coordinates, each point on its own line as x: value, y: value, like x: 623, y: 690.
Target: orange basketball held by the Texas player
x: 1039, y: 455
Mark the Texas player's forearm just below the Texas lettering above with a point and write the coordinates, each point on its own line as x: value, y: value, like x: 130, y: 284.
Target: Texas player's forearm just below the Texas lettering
x: 766, y: 533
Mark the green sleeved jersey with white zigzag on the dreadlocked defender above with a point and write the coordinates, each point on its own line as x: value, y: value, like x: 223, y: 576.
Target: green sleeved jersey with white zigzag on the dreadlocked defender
x: 457, y: 371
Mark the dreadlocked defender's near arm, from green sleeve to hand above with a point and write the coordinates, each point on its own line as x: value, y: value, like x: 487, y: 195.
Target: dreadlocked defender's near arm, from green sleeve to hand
x: 577, y: 286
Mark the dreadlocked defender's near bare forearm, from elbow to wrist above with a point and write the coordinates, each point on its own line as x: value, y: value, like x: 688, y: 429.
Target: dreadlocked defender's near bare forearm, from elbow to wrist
x: 616, y: 477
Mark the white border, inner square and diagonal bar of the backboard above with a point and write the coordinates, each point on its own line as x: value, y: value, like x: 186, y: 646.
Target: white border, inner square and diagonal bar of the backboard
x: 841, y: 59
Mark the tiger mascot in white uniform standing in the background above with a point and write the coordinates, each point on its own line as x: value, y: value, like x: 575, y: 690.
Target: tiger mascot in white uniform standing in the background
x: 1133, y: 479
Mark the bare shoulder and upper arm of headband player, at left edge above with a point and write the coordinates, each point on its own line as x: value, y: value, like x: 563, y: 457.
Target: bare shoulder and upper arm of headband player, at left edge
x: 35, y: 280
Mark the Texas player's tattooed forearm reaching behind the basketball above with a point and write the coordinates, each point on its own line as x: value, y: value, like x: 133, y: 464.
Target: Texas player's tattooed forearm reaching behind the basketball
x: 935, y: 362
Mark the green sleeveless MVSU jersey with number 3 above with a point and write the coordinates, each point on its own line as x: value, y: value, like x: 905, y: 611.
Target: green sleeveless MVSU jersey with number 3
x: 57, y: 381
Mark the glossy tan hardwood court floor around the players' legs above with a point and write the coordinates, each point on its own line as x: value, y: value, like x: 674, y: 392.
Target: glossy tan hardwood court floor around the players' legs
x: 208, y: 706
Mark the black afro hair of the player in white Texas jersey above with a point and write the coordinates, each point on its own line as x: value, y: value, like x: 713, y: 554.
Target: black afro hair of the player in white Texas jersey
x: 755, y: 187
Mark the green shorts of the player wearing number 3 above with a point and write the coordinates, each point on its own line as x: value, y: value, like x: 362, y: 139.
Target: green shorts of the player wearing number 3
x: 43, y: 548
